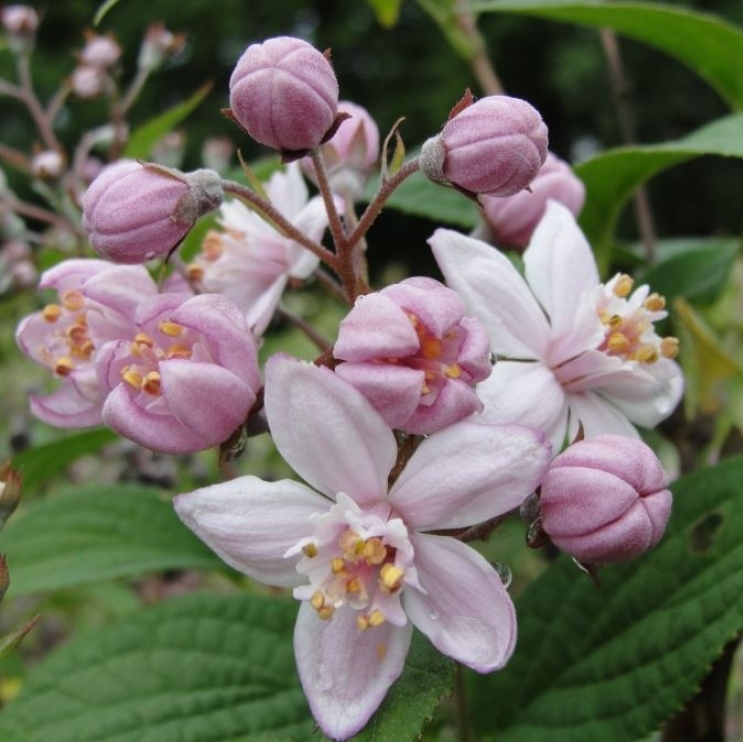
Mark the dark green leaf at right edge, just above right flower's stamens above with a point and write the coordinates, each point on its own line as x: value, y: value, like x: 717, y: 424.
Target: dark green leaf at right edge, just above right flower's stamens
x: 696, y: 269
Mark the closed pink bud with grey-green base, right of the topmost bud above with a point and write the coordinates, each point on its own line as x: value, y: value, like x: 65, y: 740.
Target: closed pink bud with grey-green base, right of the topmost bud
x: 493, y: 147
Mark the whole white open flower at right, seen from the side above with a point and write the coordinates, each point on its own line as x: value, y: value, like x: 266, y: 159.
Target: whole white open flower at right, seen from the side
x: 570, y: 350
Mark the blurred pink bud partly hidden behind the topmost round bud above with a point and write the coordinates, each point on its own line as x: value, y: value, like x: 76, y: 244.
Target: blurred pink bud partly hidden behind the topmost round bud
x: 352, y: 152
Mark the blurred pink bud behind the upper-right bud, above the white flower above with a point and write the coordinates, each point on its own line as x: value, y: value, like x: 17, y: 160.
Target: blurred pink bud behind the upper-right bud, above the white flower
x: 512, y: 220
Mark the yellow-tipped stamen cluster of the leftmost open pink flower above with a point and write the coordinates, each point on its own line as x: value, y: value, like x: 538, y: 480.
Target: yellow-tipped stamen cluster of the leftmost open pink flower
x: 68, y: 345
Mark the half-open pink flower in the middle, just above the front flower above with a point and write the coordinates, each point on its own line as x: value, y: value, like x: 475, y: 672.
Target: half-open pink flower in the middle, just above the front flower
x: 413, y: 354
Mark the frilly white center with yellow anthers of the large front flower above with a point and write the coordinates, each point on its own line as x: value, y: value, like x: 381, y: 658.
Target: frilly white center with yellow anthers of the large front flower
x: 357, y: 559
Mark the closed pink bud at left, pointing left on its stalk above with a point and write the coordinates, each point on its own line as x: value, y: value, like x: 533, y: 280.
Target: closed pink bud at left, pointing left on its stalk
x: 134, y: 213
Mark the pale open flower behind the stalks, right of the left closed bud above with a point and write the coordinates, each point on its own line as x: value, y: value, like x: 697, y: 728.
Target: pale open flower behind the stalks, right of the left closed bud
x: 249, y: 262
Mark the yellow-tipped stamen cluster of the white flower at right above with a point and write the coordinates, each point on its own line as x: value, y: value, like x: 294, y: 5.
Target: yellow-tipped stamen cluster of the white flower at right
x: 628, y: 320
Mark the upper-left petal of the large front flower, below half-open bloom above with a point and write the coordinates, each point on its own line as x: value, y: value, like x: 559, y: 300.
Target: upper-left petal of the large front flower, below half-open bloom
x: 327, y: 431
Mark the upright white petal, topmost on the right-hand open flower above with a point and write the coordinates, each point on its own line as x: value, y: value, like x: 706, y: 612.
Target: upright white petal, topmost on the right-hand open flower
x: 560, y: 267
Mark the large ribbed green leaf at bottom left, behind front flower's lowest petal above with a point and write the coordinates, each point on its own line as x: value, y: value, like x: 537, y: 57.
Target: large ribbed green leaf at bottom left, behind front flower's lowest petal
x: 203, y: 668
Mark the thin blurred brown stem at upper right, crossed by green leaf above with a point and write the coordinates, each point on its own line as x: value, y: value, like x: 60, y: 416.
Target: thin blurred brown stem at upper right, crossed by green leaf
x: 621, y: 94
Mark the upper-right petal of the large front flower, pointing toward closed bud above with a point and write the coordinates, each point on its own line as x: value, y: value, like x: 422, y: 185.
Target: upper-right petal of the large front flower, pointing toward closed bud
x: 468, y: 473
